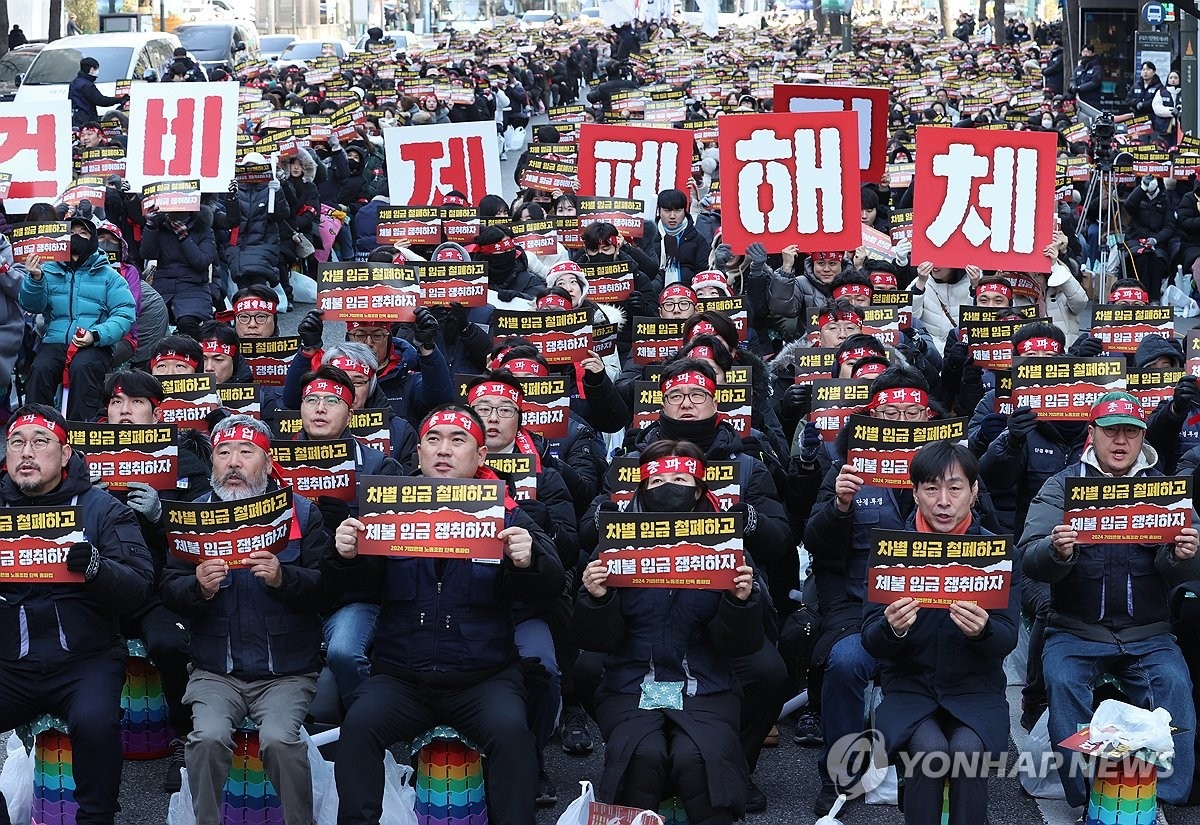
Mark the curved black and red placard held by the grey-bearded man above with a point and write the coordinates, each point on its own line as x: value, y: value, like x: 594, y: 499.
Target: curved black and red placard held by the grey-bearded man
x: 230, y: 531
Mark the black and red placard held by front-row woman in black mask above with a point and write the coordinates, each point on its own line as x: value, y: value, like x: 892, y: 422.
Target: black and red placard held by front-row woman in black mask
x: 680, y: 551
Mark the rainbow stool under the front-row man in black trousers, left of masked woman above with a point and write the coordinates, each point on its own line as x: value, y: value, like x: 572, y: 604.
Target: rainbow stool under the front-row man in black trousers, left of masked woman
x: 449, y: 780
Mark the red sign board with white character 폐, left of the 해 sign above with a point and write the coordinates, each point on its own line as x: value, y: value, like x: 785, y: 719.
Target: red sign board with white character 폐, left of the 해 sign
x: 634, y: 162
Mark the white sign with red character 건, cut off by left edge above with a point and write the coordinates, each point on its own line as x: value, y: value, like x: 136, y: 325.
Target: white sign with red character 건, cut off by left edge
x: 35, y: 149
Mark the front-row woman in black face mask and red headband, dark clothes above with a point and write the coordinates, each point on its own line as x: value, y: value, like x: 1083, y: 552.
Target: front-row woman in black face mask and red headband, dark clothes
x: 668, y: 703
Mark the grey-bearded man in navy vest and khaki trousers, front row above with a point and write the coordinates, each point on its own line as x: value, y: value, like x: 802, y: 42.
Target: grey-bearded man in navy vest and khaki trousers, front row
x: 256, y: 636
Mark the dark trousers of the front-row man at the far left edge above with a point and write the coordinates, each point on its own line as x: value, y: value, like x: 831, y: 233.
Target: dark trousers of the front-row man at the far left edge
x: 87, y: 692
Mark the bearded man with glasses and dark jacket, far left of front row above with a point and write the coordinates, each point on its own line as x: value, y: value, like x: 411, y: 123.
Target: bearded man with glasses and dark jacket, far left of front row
x: 62, y: 652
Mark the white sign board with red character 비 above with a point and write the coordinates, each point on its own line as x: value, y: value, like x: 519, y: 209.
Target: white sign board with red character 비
x: 183, y: 131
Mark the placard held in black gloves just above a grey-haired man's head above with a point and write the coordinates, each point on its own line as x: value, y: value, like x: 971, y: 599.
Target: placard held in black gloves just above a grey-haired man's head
x: 373, y: 293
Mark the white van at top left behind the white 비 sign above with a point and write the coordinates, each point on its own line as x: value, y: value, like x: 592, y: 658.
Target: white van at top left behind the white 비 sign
x: 122, y: 55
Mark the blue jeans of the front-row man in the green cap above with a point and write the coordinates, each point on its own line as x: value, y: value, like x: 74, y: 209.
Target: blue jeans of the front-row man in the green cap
x: 1153, y: 675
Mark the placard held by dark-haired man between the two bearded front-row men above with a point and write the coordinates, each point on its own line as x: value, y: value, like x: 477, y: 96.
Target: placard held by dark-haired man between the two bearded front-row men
x: 121, y: 454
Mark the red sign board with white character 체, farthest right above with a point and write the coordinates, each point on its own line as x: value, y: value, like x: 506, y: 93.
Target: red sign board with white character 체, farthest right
x: 986, y: 198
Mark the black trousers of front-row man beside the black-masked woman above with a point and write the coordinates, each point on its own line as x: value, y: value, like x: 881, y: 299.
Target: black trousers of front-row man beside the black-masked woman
x: 388, y: 710
